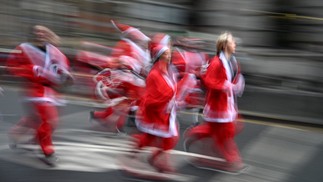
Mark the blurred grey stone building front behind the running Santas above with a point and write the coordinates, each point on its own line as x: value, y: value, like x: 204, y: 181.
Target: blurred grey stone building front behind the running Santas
x: 280, y: 45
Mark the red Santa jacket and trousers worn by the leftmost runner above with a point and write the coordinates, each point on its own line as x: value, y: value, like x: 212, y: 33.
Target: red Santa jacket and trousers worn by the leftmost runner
x: 43, y: 70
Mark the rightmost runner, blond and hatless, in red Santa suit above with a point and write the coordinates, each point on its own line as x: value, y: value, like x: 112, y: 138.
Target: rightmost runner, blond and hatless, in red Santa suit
x: 224, y: 82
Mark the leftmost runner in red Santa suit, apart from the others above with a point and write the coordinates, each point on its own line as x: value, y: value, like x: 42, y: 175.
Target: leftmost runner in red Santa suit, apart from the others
x: 44, y: 67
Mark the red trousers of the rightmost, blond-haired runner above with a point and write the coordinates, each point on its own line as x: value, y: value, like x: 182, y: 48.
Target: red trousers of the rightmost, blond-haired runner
x: 223, y: 136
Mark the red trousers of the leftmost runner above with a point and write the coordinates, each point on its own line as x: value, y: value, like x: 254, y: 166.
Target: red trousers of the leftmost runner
x: 43, y: 118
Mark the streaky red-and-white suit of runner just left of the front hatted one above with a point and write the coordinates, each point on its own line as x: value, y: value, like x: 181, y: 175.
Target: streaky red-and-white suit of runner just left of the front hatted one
x: 121, y: 90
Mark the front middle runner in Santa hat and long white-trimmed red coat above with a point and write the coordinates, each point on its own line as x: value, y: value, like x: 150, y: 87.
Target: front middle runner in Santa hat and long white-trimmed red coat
x: 156, y: 115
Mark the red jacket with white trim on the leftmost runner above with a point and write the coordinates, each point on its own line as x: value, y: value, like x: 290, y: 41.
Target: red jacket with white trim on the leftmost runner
x: 38, y: 68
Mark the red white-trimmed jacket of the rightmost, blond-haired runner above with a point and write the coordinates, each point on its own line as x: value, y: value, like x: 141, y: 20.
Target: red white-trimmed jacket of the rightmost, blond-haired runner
x: 220, y: 99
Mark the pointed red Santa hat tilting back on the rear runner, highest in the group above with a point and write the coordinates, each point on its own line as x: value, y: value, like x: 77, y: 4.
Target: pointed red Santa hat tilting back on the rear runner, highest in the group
x: 130, y: 32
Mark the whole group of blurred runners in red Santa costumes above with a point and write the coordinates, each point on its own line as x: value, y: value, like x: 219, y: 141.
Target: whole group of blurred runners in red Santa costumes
x: 151, y: 77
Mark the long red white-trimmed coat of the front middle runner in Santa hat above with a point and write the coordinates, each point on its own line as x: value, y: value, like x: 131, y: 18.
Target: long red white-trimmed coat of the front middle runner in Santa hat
x: 156, y: 113
